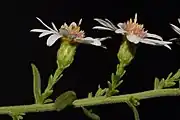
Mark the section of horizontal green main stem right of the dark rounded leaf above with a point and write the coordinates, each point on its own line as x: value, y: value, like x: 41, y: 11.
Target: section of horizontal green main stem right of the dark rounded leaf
x: 125, y: 98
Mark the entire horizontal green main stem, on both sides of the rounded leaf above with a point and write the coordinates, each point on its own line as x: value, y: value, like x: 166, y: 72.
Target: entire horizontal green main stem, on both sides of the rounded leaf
x: 92, y: 101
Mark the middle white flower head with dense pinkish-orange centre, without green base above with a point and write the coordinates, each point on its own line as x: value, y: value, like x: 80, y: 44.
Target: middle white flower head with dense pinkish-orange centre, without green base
x: 133, y: 31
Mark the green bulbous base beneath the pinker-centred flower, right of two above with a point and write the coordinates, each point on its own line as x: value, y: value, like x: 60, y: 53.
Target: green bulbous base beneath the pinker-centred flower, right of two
x: 126, y: 52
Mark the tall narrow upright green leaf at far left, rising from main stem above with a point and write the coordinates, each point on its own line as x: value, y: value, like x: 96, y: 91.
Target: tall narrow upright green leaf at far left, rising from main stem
x: 36, y: 84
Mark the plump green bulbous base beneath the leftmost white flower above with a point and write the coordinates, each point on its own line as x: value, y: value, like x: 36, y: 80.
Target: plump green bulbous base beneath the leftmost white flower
x: 65, y: 54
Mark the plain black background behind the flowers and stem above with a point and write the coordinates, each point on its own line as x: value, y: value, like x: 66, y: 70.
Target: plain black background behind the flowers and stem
x: 92, y: 65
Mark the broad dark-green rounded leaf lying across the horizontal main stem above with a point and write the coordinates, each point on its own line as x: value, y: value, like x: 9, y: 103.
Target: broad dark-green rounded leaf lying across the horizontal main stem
x: 64, y: 100
